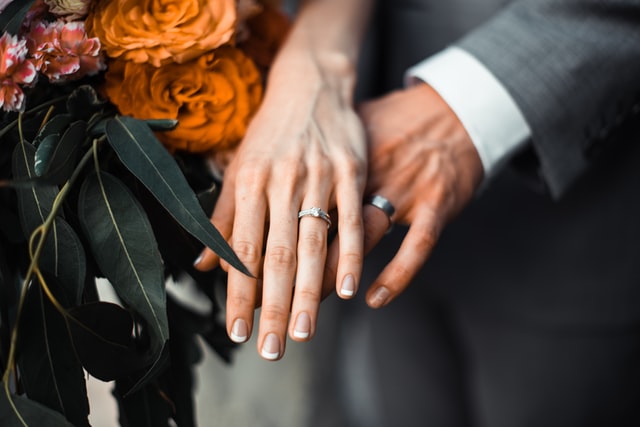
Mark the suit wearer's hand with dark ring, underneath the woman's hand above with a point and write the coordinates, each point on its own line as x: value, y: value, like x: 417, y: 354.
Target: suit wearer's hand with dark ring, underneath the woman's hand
x: 422, y: 160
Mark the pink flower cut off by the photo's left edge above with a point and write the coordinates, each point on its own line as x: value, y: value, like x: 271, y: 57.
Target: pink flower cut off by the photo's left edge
x: 15, y: 70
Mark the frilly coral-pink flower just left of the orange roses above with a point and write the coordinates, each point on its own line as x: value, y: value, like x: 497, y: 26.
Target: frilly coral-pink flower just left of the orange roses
x: 63, y: 51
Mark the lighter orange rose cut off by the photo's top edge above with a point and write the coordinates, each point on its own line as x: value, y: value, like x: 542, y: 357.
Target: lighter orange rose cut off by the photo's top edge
x: 161, y: 31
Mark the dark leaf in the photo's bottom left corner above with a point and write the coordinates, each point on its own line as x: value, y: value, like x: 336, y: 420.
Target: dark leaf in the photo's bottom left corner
x: 28, y: 413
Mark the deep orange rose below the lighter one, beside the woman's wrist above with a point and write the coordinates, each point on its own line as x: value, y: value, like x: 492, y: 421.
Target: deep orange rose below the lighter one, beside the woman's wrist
x: 213, y: 97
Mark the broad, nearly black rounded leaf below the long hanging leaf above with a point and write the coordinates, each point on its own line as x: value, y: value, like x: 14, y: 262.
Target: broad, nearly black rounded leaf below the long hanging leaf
x: 104, y: 342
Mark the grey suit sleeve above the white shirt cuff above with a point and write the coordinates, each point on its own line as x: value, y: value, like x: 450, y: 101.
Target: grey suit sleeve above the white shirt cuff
x: 573, y: 68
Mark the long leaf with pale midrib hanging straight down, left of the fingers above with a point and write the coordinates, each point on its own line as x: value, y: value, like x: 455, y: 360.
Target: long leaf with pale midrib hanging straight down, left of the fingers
x: 125, y: 249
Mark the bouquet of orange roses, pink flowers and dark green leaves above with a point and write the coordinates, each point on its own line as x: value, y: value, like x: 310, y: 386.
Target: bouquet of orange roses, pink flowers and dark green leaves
x: 113, y: 115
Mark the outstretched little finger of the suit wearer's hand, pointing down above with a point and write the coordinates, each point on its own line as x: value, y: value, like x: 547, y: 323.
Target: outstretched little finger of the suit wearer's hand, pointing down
x: 412, y: 255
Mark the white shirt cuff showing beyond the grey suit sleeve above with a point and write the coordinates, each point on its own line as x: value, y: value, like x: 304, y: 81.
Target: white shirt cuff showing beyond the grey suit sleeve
x: 490, y: 116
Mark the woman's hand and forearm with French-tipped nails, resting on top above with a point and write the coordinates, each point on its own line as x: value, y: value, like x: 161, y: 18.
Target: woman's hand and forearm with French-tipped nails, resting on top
x: 304, y: 148
